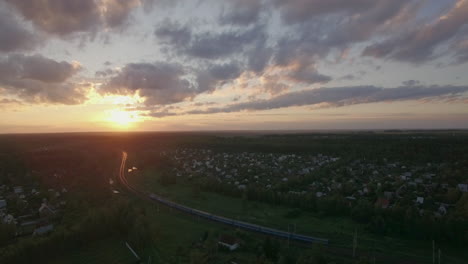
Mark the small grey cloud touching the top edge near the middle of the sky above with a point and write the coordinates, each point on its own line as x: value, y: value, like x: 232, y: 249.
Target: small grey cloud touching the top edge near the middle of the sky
x: 241, y: 12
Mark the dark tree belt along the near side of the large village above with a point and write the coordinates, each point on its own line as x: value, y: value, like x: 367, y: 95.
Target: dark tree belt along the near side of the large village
x: 400, y: 220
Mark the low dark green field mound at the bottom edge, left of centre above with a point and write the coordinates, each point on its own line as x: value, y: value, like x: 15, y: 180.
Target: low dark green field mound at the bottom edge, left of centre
x: 111, y: 251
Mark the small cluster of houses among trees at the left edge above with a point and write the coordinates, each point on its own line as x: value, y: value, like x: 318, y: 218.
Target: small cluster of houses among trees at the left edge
x: 30, y: 209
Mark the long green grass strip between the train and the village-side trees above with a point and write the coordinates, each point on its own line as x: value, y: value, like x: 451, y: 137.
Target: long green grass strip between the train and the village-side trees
x: 338, y: 230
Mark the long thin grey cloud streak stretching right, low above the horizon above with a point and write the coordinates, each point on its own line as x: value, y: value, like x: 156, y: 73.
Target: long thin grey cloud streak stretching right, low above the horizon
x: 340, y: 96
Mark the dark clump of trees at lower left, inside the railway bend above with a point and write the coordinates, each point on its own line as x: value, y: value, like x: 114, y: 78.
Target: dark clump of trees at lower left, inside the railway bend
x: 117, y: 218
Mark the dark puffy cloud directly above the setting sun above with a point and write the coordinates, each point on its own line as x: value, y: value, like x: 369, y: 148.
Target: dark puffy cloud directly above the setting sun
x: 159, y: 83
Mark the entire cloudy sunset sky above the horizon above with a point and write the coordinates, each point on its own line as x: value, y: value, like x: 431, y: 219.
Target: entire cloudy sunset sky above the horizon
x: 180, y: 65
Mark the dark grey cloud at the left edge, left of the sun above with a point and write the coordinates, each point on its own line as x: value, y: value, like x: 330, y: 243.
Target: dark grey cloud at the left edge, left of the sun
x: 36, y: 79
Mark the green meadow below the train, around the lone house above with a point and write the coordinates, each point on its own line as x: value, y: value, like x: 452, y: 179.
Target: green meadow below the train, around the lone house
x: 181, y: 233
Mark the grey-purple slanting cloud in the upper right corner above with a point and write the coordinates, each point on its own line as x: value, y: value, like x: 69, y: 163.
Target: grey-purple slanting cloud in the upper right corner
x: 419, y: 43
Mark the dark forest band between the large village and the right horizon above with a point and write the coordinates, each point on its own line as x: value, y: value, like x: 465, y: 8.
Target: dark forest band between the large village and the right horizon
x: 410, y: 147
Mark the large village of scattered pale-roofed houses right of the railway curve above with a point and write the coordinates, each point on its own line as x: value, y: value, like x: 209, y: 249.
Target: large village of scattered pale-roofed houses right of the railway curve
x: 384, y: 183
